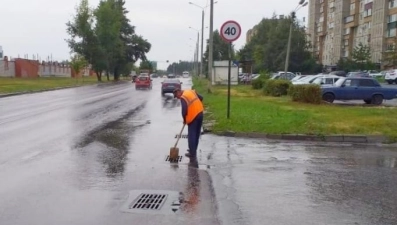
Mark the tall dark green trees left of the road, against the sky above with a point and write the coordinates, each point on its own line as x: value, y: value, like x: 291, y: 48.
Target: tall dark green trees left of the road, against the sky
x: 105, y: 38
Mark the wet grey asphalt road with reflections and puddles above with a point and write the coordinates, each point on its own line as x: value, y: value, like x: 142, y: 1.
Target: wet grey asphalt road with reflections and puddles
x: 74, y: 156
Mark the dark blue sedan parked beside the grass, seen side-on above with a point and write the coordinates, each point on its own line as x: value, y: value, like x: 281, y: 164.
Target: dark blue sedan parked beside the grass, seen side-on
x: 356, y: 88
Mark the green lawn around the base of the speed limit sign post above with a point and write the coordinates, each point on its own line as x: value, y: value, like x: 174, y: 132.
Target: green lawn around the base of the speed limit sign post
x: 253, y: 112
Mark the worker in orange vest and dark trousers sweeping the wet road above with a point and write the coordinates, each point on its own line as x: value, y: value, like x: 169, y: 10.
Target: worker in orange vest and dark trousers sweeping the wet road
x: 192, y: 114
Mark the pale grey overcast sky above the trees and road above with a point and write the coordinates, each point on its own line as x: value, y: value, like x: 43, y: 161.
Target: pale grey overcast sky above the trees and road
x: 38, y: 26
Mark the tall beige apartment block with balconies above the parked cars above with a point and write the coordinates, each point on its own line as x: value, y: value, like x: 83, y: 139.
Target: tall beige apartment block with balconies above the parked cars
x: 337, y: 26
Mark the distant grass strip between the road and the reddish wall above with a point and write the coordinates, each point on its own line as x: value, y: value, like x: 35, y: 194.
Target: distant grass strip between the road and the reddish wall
x: 14, y: 85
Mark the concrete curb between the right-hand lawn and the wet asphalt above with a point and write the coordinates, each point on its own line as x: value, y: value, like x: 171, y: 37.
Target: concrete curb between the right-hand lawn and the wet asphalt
x: 359, y: 139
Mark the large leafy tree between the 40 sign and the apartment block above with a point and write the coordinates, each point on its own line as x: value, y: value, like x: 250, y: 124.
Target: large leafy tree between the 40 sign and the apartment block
x: 268, y: 47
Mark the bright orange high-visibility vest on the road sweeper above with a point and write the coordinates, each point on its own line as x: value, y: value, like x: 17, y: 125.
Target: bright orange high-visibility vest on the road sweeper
x: 194, y: 105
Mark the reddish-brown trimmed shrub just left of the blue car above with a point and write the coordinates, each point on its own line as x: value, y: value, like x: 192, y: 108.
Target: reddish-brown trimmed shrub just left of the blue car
x: 307, y: 93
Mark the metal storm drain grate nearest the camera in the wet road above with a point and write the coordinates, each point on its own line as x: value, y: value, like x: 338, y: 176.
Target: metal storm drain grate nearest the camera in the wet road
x: 149, y: 201
